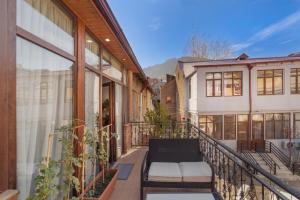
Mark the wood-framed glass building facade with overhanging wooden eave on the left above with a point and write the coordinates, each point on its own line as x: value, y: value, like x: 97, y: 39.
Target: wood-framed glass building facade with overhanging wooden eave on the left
x: 62, y: 61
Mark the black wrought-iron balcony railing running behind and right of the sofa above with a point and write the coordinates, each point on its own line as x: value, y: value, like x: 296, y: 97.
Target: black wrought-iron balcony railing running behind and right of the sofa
x: 235, y: 176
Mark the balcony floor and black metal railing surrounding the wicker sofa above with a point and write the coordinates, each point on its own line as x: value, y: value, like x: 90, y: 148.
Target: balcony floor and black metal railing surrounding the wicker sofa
x: 236, y: 177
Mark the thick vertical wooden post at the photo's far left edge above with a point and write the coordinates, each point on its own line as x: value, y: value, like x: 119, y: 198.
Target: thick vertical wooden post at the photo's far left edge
x: 8, y: 94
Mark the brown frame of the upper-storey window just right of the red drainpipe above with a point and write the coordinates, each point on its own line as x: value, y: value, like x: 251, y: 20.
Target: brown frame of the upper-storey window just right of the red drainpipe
x: 273, y: 81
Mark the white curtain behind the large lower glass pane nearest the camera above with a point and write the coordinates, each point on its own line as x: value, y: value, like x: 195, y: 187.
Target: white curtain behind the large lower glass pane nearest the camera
x: 44, y: 102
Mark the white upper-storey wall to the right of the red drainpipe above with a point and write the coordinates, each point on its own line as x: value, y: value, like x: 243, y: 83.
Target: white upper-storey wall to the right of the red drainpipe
x: 275, y: 103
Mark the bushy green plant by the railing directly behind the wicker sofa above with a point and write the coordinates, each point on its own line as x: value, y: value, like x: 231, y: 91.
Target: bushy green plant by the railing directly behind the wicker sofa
x: 158, y: 118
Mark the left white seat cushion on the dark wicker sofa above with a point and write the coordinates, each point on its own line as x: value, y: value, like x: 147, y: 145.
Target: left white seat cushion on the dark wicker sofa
x: 164, y: 172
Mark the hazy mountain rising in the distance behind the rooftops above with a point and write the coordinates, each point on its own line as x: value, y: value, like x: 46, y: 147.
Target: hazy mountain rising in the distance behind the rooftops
x: 160, y: 70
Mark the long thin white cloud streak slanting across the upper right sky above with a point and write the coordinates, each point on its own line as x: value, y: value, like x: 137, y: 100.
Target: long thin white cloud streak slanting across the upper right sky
x: 266, y: 32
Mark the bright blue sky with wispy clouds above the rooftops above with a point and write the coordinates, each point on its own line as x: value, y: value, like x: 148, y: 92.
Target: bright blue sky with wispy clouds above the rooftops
x: 160, y: 29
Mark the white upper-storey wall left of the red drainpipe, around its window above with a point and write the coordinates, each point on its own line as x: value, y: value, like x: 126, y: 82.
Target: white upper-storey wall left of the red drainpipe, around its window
x: 222, y: 104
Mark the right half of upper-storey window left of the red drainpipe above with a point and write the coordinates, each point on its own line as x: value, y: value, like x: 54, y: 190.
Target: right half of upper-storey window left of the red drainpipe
x: 232, y: 83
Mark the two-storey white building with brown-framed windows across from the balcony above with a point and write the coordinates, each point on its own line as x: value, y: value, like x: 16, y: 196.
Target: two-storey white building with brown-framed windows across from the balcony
x: 242, y: 101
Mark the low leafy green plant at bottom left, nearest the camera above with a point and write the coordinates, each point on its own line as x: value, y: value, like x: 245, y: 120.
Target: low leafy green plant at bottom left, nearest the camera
x: 45, y: 185
